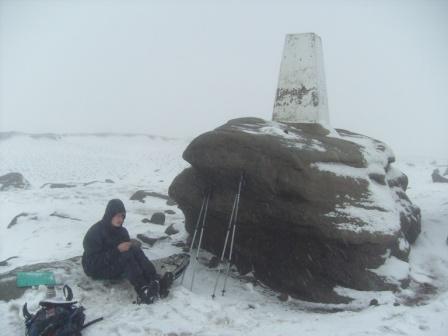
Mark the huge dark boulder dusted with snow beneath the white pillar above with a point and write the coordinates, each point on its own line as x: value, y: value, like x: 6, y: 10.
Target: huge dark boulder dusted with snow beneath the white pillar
x: 317, y: 210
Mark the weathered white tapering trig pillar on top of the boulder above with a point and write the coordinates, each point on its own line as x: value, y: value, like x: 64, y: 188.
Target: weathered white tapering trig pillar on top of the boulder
x: 301, y: 94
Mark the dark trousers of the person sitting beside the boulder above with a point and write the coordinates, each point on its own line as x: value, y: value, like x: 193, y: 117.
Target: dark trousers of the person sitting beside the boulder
x: 132, y: 264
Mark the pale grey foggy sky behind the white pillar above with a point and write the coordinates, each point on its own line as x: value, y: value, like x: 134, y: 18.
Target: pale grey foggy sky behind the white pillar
x: 180, y: 68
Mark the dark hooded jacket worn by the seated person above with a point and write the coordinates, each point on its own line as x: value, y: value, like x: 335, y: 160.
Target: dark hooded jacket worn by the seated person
x: 101, y: 241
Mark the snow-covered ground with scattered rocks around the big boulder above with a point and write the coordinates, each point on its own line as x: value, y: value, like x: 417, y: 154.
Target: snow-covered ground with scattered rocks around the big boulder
x: 139, y: 162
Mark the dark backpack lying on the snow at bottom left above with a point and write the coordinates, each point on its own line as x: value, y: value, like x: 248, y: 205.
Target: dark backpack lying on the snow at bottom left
x: 56, y: 317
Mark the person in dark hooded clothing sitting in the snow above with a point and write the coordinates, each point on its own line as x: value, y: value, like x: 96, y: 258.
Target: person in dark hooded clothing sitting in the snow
x: 110, y: 254
